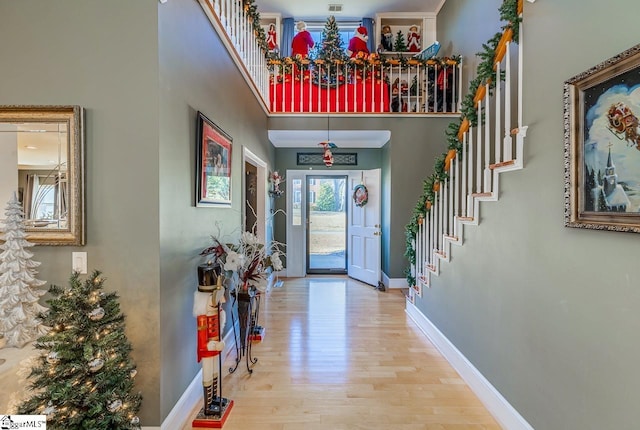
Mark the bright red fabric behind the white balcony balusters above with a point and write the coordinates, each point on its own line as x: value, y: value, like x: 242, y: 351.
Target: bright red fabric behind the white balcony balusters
x: 362, y: 97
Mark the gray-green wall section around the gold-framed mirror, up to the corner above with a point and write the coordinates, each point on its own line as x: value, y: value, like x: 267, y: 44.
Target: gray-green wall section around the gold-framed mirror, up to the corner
x: 102, y: 56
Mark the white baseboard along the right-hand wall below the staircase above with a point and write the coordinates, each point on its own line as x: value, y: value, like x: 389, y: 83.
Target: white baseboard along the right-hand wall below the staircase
x: 497, y: 405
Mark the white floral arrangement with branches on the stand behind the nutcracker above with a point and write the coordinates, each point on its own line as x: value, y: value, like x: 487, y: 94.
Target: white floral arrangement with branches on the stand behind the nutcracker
x: 251, y: 261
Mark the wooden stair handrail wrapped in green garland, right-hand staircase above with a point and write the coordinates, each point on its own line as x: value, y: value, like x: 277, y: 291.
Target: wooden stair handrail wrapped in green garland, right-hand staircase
x: 493, y: 52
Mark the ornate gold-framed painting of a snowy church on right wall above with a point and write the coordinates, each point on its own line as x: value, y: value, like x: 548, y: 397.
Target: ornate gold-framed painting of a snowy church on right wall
x: 602, y: 145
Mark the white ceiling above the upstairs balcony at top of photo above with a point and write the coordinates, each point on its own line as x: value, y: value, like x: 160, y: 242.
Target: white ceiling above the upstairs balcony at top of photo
x: 306, y: 9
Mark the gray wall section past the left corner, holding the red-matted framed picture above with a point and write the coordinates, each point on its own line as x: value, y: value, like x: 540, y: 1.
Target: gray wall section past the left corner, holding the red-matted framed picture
x: 196, y: 74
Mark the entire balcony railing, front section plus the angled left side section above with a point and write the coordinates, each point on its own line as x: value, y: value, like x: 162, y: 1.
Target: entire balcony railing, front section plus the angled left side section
x: 401, y: 85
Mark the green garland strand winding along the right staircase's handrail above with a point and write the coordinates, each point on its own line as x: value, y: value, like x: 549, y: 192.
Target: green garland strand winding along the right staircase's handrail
x: 484, y: 75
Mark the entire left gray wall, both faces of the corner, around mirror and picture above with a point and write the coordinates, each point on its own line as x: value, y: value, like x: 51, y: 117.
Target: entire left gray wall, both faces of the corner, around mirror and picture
x: 142, y: 70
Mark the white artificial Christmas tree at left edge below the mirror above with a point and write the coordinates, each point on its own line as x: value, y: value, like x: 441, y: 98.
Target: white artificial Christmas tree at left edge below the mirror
x: 19, y: 288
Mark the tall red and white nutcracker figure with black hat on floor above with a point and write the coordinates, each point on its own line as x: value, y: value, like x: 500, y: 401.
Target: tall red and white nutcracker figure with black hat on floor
x: 210, y: 319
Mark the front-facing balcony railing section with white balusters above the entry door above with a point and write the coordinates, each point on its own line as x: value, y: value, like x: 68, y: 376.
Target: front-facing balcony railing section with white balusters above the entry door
x: 367, y: 85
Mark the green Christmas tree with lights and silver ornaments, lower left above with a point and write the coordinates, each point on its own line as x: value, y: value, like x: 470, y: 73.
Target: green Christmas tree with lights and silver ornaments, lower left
x: 84, y: 377
